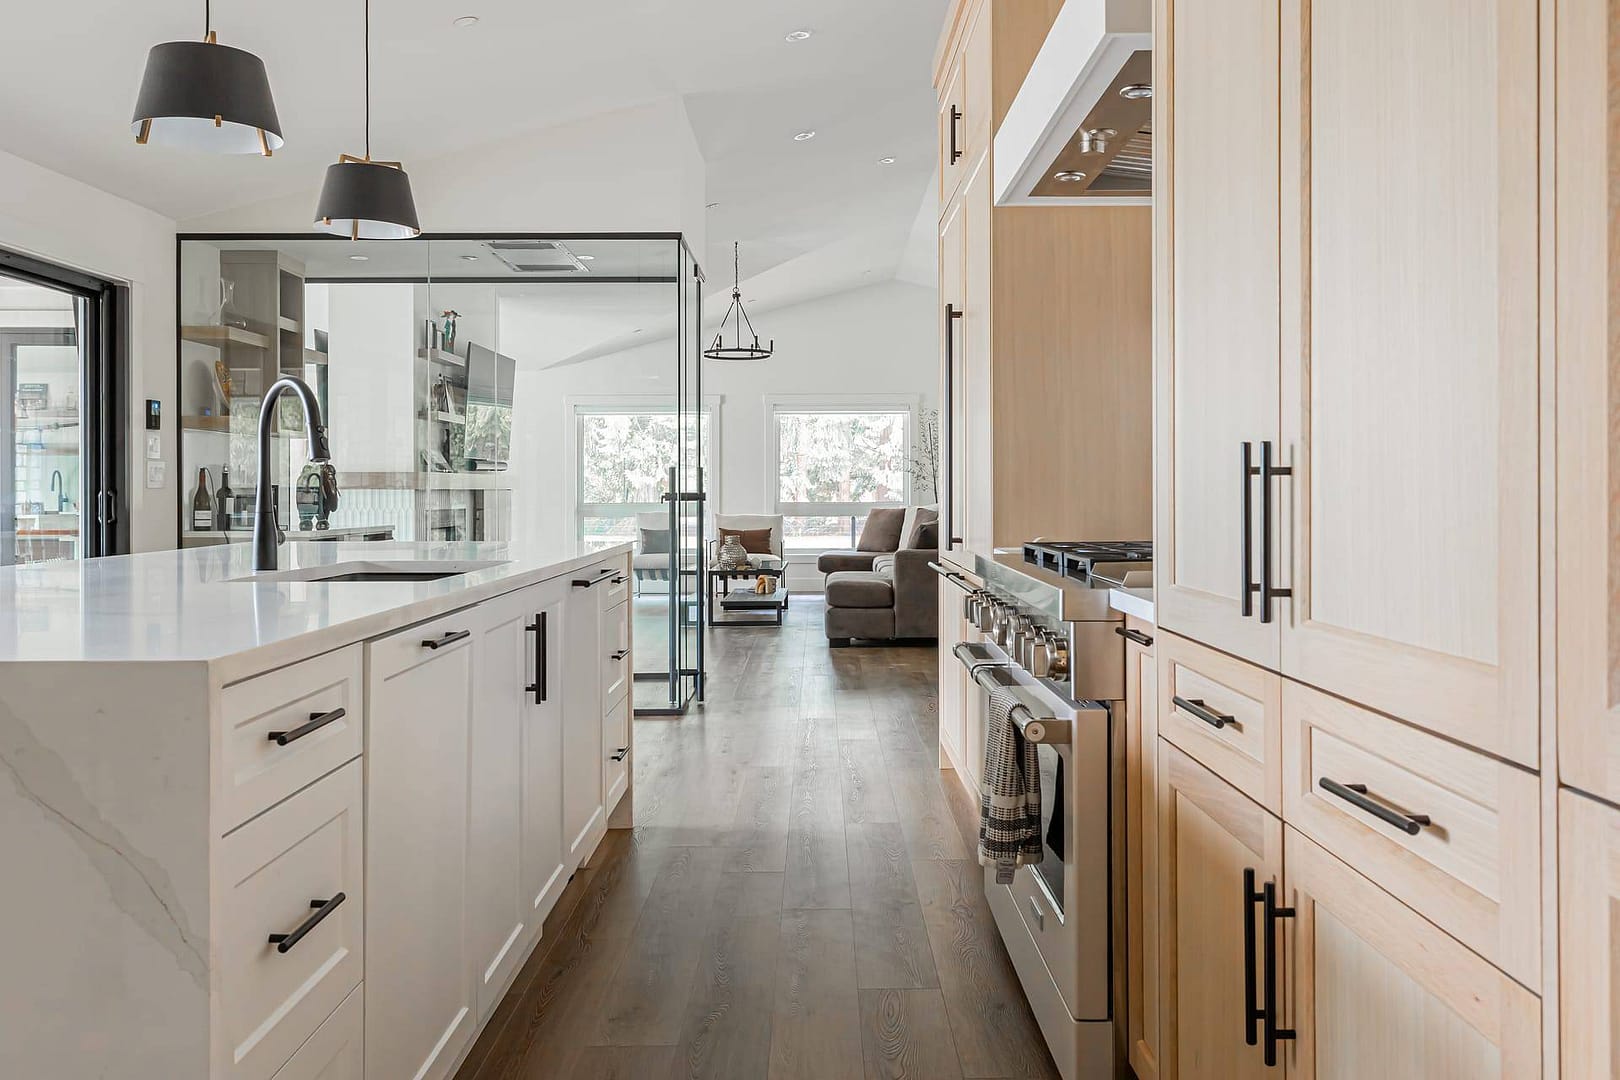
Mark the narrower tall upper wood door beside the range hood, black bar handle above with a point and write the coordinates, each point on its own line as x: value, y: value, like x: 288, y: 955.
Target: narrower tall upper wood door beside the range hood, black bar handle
x: 1219, y: 274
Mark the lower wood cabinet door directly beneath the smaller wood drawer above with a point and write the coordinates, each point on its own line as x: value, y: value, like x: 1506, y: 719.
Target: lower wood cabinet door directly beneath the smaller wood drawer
x: 1216, y: 848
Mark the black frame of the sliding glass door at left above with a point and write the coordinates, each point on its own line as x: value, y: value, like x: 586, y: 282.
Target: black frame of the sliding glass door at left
x: 104, y: 349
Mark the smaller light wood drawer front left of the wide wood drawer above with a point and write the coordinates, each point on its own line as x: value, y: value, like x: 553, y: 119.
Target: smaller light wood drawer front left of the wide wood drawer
x: 1224, y: 713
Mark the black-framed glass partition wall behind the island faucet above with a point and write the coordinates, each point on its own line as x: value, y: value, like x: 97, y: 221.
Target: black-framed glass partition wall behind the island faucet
x: 531, y: 389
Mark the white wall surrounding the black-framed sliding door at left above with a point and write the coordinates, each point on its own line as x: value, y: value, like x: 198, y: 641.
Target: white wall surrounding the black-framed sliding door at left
x: 54, y: 218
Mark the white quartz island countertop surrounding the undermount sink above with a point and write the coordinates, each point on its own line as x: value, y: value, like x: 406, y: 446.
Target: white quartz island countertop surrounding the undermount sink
x: 185, y: 605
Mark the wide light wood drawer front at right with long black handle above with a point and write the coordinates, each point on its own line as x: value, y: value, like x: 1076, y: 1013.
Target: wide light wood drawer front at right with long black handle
x: 1473, y: 870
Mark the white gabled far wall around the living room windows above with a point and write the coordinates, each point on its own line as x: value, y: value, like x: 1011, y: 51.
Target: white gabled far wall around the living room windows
x: 879, y: 341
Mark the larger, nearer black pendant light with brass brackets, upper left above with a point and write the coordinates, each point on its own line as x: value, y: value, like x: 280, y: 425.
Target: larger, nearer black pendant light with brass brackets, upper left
x: 205, y: 96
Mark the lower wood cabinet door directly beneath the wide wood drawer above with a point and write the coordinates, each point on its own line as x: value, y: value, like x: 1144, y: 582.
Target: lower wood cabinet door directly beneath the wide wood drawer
x: 1376, y: 990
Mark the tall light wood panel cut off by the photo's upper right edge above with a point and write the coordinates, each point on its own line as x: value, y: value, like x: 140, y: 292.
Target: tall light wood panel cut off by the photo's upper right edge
x: 1588, y: 399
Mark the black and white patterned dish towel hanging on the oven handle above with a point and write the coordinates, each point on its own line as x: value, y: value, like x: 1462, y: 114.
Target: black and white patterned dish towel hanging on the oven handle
x: 1008, y: 793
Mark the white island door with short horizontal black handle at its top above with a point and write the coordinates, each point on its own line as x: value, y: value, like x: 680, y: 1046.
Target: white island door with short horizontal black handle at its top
x: 422, y: 1011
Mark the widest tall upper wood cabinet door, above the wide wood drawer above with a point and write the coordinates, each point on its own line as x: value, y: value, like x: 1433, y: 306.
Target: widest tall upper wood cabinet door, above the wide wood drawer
x: 1410, y: 362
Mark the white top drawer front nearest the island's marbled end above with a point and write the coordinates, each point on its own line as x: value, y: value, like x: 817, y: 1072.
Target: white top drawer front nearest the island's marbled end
x: 257, y: 772
